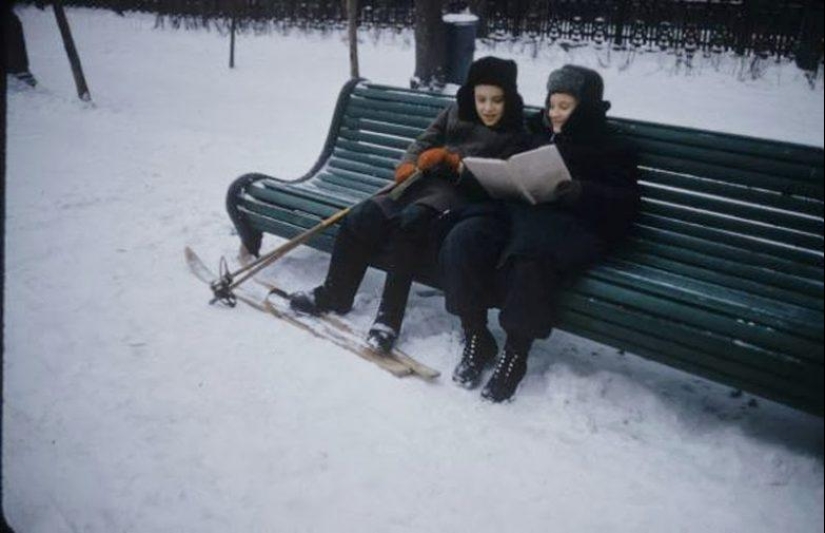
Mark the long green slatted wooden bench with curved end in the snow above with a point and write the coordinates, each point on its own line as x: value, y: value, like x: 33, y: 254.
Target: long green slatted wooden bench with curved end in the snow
x: 722, y: 275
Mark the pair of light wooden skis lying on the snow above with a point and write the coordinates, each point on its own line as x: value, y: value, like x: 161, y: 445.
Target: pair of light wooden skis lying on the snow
x: 328, y: 326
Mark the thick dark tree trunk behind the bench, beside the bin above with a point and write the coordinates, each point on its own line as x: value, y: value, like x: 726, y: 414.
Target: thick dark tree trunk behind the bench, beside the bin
x: 430, y: 45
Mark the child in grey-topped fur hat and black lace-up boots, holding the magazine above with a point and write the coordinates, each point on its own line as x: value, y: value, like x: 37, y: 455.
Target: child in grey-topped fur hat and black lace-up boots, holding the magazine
x: 516, y: 256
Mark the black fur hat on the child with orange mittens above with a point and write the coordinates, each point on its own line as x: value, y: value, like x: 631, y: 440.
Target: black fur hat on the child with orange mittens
x: 492, y: 71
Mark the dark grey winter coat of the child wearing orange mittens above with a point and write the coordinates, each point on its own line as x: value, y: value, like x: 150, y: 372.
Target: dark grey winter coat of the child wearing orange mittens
x: 440, y: 190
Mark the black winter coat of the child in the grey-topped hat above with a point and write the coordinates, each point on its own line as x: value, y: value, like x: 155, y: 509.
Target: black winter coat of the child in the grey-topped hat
x: 576, y: 230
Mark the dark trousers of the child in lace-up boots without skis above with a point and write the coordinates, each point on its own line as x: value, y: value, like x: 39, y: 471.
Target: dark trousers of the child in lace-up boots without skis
x: 524, y: 289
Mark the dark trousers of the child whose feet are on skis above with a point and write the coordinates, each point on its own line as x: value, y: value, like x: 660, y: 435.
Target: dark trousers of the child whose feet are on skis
x: 367, y: 232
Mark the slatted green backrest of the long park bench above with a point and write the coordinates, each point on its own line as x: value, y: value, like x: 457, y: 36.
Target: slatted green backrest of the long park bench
x: 752, y: 207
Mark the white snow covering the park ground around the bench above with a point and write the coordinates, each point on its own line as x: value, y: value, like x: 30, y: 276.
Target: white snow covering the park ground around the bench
x: 131, y: 405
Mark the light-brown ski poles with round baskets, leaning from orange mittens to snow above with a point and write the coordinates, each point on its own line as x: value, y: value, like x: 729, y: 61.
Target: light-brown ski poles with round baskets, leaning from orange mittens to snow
x: 222, y: 288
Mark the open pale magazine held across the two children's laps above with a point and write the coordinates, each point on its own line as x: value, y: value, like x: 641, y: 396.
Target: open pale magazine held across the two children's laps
x: 532, y: 176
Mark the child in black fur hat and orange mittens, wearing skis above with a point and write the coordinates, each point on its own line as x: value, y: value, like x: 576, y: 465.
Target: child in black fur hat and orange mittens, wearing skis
x: 485, y: 121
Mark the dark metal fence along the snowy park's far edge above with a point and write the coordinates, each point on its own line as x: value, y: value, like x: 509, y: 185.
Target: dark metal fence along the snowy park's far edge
x: 762, y: 28
